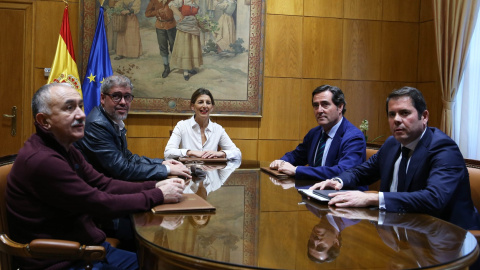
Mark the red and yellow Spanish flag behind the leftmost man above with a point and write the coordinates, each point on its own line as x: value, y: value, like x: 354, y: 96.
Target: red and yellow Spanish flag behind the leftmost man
x: 64, y: 67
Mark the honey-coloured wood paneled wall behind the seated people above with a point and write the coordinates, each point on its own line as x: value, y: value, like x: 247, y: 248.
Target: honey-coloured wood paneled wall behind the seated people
x: 365, y: 47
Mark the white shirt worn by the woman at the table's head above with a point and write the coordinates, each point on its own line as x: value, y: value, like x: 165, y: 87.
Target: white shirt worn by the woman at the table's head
x: 187, y: 136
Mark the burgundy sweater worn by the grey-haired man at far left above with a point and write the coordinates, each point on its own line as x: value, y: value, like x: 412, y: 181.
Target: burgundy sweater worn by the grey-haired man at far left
x: 52, y: 193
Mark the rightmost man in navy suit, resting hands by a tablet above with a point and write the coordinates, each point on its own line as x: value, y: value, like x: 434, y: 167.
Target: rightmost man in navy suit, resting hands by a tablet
x: 434, y: 179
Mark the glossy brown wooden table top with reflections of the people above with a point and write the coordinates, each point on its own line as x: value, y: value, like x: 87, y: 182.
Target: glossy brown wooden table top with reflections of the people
x: 264, y: 223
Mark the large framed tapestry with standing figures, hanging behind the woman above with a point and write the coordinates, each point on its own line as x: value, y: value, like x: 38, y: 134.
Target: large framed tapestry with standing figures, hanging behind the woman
x: 229, y: 61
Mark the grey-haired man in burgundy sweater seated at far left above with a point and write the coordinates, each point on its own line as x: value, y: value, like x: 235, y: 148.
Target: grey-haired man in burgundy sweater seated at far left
x: 53, y: 193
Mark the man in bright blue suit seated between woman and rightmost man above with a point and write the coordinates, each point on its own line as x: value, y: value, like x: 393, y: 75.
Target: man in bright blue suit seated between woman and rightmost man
x: 330, y: 148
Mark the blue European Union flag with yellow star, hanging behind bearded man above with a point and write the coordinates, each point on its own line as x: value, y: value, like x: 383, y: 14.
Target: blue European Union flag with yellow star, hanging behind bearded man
x: 99, y: 66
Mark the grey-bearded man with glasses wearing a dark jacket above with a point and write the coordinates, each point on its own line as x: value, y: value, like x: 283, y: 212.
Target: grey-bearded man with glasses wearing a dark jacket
x: 105, y: 147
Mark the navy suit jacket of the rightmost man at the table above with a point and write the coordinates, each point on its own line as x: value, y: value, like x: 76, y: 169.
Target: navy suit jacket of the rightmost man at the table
x: 437, y: 179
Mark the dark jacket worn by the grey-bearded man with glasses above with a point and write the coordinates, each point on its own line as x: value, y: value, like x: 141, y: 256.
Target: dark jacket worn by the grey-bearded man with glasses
x: 106, y: 149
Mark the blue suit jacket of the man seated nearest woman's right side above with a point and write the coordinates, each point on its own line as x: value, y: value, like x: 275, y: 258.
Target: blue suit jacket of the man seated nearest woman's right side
x: 347, y: 150
